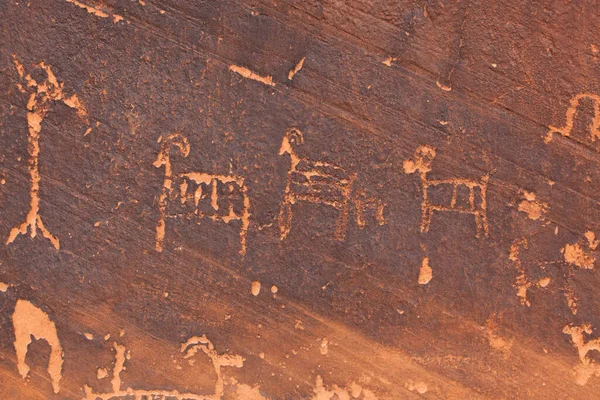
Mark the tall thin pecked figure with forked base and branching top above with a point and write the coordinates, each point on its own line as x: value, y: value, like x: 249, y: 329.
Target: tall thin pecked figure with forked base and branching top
x: 41, y: 97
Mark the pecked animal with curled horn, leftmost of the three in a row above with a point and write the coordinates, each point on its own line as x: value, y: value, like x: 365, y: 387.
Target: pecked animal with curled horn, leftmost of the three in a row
x: 206, y: 186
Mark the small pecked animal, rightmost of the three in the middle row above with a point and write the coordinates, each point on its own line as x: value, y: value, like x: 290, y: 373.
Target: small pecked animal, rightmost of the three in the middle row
x: 477, y: 192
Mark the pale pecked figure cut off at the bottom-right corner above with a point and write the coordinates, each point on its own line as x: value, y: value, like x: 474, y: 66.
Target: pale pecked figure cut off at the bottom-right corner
x: 587, y: 368
